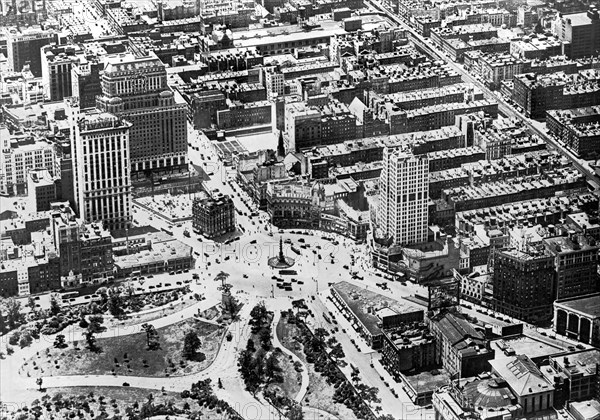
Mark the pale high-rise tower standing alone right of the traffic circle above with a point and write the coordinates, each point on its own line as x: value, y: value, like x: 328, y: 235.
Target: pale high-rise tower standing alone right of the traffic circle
x: 403, y: 196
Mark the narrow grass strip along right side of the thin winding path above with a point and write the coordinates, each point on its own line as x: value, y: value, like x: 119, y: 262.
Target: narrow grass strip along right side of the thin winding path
x: 320, y: 393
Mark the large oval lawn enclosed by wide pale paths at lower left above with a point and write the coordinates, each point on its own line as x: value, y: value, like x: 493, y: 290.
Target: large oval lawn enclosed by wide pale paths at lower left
x: 167, y: 360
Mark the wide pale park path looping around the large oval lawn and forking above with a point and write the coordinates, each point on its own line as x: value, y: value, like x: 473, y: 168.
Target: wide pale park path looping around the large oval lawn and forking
x: 17, y: 390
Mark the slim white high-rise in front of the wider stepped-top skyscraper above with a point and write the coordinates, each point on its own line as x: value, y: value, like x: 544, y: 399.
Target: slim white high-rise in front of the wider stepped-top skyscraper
x: 100, y: 145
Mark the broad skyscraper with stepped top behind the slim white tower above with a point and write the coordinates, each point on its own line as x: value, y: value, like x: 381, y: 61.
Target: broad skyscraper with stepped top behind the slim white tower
x: 135, y: 89
